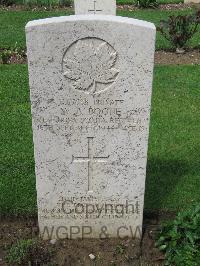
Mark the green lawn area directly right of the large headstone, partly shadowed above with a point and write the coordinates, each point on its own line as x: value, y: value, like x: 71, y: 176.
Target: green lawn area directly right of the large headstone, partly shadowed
x: 173, y: 174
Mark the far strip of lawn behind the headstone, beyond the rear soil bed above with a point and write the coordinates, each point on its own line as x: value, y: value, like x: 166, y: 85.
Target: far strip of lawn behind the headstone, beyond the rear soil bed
x: 12, y: 24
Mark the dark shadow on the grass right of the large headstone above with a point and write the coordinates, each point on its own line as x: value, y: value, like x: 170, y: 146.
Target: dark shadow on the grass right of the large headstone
x: 162, y: 178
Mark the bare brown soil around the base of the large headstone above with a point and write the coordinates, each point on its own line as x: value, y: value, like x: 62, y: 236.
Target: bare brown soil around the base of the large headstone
x: 107, y: 252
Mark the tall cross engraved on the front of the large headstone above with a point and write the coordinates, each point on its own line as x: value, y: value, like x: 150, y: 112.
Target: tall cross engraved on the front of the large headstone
x: 90, y: 159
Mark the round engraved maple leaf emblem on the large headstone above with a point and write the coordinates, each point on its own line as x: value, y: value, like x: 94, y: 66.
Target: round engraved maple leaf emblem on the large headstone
x: 90, y: 62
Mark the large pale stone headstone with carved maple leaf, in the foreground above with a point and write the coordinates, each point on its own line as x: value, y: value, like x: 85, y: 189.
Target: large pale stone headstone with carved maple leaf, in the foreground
x: 90, y: 83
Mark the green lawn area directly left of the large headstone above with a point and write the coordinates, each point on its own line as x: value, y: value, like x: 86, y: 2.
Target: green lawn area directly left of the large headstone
x: 17, y: 179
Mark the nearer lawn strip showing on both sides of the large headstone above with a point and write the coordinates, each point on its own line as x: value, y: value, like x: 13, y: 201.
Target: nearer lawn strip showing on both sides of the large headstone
x: 173, y: 179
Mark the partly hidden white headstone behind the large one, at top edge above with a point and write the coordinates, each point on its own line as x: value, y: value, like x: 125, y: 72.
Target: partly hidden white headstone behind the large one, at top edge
x: 98, y: 7
